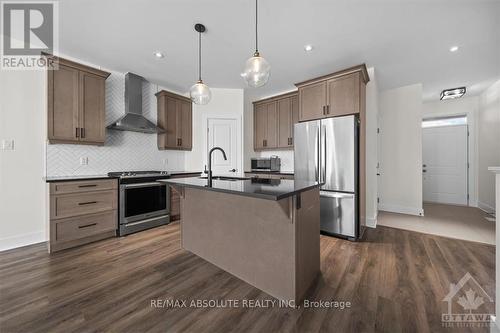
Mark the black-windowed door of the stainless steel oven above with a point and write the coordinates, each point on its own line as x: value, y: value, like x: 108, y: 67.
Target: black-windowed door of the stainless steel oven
x: 143, y: 201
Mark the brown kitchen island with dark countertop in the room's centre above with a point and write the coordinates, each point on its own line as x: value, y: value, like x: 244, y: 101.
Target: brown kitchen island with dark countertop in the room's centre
x: 263, y: 231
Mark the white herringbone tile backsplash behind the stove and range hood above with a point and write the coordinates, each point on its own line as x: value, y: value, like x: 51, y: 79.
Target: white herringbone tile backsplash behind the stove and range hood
x: 122, y: 150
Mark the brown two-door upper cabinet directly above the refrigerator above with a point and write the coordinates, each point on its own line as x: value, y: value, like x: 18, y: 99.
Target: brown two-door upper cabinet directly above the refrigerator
x: 332, y: 95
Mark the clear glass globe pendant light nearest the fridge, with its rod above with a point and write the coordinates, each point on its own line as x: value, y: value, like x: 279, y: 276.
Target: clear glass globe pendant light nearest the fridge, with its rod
x: 256, y: 72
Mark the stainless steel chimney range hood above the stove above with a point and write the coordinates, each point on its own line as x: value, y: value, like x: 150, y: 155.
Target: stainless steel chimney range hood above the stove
x: 133, y: 120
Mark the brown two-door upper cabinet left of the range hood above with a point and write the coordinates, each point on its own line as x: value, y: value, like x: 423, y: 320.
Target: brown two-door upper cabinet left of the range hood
x: 76, y: 103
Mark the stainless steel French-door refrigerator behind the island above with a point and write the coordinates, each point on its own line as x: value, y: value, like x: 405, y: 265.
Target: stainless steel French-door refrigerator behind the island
x: 327, y: 151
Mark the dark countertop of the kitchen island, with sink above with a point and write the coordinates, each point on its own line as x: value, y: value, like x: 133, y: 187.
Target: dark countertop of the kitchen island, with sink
x: 270, y: 189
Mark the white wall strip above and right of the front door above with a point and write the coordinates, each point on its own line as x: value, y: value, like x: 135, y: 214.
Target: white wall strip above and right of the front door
x: 463, y: 106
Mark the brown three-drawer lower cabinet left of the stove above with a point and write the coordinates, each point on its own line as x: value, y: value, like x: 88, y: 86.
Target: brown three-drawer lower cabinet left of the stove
x: 82, y: 212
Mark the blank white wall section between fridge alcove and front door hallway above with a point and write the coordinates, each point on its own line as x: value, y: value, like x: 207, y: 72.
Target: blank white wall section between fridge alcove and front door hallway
x: 400, y: 182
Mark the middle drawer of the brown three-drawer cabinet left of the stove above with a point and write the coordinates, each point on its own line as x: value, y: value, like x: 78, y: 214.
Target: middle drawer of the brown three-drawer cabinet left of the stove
x: 67, y: 205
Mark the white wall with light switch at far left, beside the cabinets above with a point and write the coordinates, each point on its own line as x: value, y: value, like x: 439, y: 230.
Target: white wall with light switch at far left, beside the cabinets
x: 22, y: 190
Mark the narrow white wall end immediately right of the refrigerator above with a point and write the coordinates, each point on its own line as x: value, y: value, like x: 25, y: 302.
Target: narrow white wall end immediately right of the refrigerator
x: 372, y: 158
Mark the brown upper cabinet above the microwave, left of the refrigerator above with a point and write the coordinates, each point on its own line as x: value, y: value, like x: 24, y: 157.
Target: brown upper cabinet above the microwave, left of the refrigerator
x: 273, y: 121
